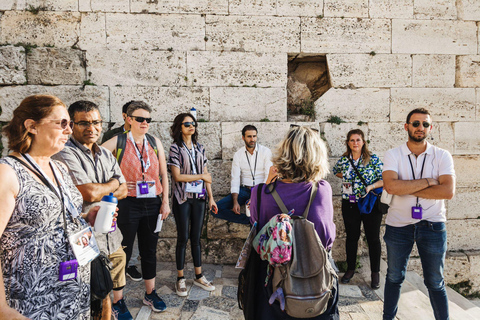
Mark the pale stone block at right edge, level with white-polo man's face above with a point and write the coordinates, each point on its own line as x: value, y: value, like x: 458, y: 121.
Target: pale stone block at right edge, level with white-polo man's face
x: 467, y: 138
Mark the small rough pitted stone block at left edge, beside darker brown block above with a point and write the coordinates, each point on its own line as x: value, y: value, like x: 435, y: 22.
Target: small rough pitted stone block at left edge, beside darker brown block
x: 12, y: 65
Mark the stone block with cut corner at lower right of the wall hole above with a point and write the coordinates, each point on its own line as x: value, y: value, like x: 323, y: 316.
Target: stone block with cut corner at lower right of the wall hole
x: 353, y: 105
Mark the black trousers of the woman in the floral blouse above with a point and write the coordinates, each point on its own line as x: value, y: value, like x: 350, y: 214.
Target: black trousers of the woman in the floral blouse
x: 371, y: 224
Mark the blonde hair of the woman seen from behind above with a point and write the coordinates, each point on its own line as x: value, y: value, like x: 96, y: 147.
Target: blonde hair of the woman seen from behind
x: 301, y: 156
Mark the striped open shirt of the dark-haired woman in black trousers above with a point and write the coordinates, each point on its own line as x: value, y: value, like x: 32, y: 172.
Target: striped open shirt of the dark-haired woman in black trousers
x: 179, y: 158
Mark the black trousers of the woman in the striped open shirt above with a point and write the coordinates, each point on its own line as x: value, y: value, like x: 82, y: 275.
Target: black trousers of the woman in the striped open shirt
x: 189, y: 220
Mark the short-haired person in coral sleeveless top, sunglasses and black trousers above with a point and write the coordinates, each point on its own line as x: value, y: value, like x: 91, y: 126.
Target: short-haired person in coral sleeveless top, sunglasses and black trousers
x: 142, y: 161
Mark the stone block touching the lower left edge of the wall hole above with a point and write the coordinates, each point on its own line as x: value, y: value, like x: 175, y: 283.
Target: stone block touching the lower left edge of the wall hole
x: 235, y: 104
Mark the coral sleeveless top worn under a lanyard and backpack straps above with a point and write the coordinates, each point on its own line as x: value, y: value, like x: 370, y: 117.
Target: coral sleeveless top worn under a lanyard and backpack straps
x: 132, y: 169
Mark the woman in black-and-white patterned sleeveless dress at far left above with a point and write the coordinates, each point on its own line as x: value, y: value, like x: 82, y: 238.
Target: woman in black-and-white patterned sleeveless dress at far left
x: 40, y: 208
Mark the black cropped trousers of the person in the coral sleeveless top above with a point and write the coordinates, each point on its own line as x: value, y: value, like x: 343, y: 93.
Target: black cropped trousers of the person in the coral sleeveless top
x: 139, y: 217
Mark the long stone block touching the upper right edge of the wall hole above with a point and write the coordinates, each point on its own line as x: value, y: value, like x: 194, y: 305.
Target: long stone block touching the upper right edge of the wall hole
x: 367, y: 71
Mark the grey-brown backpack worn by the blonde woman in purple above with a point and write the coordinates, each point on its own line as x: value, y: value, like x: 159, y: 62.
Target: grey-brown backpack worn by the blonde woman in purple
x: 304, y: 284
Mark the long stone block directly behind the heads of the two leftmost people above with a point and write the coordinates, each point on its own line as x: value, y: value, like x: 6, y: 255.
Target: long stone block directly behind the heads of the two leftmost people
x: 10, y: 97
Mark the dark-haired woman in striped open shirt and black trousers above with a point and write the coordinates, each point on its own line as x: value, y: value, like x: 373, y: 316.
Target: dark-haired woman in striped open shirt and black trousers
x: 192, y: 188
